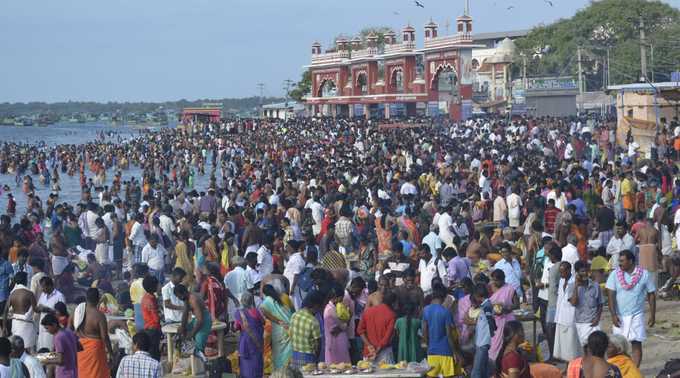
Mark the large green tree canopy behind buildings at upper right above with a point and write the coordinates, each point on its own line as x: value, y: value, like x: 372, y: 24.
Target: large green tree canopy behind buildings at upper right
x: 606, y: 26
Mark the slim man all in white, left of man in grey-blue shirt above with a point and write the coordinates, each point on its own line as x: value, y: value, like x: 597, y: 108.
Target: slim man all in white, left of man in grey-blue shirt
x: 567, y: 346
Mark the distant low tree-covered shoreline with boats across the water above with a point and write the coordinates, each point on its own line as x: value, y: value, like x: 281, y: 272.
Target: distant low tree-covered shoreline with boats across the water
x: 85, y: 111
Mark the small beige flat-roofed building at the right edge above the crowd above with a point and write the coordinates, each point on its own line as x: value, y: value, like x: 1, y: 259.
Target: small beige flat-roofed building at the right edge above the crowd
x: 641, y: 107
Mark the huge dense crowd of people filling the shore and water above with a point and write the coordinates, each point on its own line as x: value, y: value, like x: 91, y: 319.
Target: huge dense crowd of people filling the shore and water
x: 329, y: 241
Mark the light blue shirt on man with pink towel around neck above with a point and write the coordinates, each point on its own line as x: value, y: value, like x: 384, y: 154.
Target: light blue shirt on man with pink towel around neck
x: 631, y: 302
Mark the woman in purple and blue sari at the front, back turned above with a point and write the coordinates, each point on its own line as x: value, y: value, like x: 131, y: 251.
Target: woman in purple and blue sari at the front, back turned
x: 251, y: 324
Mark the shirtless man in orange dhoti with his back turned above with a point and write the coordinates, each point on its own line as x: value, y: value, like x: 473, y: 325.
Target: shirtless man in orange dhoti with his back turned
x: 97, y: 355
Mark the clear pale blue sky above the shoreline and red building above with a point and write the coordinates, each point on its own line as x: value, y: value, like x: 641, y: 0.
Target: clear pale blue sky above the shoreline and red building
x: 163, y: 50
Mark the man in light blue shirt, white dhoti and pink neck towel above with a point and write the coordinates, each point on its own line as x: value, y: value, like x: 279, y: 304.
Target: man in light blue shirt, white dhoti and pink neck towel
x: 628, y: 287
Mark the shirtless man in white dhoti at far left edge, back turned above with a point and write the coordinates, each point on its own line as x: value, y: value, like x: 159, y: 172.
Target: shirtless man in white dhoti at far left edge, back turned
x: 23, y: 303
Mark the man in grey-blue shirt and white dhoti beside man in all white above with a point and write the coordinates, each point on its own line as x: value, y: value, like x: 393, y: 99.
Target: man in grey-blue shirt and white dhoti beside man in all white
x: 588, y: 300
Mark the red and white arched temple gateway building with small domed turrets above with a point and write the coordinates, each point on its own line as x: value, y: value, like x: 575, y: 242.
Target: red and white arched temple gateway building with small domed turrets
x: 362, y: 78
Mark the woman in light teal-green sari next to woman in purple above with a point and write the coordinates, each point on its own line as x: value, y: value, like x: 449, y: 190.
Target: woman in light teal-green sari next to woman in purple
x: 279, y: 315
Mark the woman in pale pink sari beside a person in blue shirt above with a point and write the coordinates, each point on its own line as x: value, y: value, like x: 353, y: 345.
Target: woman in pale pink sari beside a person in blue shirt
x: 504, y: 301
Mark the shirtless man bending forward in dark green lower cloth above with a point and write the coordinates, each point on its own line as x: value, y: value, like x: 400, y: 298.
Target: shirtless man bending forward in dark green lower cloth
x: 198, y: 329
